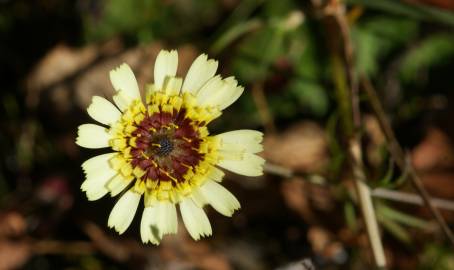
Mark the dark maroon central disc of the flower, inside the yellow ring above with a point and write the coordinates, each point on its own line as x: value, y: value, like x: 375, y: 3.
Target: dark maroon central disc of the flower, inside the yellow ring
x: 166, y: 146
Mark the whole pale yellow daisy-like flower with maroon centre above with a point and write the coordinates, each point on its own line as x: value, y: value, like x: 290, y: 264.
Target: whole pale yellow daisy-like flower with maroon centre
x: 162, y: 148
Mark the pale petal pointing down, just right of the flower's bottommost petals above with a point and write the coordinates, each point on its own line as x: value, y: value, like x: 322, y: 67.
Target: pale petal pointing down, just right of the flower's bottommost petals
x: 195, y: 219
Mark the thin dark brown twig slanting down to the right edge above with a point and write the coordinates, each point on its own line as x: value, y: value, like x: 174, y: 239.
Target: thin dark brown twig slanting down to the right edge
x: 401, y: 157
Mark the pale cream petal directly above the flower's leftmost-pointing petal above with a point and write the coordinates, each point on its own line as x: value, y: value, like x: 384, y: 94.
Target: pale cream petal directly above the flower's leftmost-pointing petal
x: 103, y: 111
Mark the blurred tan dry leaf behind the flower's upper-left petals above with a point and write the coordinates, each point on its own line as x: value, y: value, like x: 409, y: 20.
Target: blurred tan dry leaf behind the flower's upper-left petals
x: 67, y: 75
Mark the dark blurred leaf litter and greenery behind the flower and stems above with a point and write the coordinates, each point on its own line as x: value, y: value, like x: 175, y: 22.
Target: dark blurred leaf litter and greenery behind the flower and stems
x: 56, y: 54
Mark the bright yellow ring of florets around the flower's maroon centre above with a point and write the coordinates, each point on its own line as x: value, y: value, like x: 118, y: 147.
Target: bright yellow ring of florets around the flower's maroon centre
x: 124, y: 140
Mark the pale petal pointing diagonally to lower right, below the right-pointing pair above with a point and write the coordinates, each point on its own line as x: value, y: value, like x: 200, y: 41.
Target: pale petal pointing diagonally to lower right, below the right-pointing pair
x: 220, y: 198
